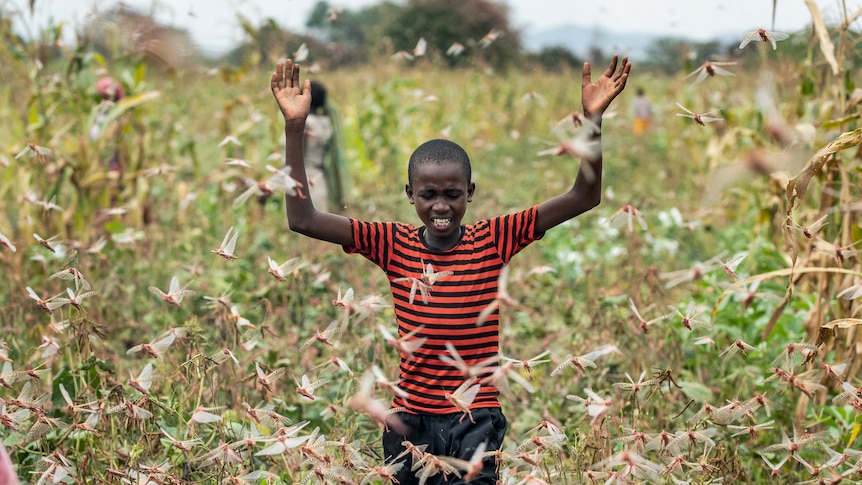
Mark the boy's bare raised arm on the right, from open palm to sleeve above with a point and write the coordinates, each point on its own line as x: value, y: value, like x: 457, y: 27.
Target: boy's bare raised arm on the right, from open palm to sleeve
x: 586, y: 192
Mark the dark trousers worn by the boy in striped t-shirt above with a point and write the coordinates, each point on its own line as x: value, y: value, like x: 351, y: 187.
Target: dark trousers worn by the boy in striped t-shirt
x: 448, y: 435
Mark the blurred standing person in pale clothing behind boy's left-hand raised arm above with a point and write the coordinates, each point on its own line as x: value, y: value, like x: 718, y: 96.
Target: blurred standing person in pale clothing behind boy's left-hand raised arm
x: 324, y: 164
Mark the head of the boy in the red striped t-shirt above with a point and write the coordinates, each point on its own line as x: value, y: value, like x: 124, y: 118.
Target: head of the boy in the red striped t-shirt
x: 439, y: 186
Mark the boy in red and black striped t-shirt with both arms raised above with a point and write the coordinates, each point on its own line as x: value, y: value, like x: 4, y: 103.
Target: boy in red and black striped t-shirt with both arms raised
x: 443, y: 274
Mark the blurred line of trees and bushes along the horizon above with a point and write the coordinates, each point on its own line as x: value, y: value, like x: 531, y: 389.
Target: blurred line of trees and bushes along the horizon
x: 454, y: 33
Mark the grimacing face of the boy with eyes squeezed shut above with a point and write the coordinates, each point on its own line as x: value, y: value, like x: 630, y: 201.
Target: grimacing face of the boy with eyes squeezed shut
x: 440, y: 193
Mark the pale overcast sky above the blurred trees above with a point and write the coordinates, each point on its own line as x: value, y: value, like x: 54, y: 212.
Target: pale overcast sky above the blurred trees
x: 212, y: 23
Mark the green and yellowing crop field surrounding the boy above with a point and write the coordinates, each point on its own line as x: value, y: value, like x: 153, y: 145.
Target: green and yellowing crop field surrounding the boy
x: 701, y: 325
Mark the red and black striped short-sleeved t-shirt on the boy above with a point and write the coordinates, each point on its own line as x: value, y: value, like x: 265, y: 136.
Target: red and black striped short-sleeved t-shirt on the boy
x: 454, y: 302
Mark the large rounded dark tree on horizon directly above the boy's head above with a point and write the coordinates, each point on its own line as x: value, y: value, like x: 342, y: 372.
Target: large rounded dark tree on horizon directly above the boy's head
x: 468, y: 22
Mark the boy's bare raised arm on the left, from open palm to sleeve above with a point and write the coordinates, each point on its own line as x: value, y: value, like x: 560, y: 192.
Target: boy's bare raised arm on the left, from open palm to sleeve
x: 294, y: 101
